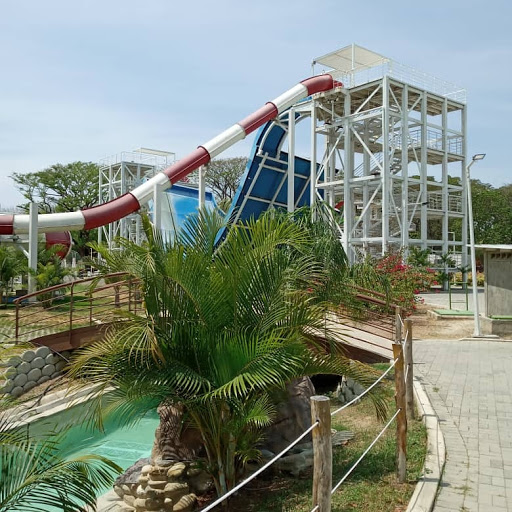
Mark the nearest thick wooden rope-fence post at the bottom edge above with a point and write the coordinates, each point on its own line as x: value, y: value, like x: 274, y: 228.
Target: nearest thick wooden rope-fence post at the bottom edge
x: 322, y: 453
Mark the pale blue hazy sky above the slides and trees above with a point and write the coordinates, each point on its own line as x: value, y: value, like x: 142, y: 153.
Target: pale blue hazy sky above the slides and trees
x: 81, y: 80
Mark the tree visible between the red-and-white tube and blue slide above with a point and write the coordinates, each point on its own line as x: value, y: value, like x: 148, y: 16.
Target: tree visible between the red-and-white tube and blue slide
x: 223, y: 177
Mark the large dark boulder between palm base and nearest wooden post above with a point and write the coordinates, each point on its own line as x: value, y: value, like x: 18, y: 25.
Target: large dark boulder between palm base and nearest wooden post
x: 293, y: 415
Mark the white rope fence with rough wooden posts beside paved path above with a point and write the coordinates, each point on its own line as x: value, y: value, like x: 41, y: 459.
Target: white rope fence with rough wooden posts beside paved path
x: 322, y: 488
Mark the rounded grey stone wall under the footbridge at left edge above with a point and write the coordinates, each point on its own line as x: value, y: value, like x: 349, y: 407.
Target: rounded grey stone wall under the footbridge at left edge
x: 33, y: 367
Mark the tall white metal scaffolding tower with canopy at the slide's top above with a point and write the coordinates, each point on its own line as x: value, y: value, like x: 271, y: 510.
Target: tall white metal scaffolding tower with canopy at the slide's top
x: 393, y: 157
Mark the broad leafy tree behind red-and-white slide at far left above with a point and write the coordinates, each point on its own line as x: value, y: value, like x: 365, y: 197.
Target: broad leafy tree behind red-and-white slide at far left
x: 62, y: 188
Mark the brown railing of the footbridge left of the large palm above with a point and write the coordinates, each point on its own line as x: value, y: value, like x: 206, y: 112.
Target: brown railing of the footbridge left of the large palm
x: 74, y: 306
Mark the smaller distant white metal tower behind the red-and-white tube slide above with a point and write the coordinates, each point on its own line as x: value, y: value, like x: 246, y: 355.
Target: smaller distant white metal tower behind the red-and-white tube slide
x: 121, y: 173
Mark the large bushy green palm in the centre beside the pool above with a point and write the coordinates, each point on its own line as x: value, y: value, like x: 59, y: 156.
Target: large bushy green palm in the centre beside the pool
x: 225, y: 326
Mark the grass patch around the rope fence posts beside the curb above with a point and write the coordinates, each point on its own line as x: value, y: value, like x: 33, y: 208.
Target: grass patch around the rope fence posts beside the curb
x: 372, y: 487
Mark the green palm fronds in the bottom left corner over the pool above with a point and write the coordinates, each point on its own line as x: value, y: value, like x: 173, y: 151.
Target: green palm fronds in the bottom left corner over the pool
x: 34, y: 475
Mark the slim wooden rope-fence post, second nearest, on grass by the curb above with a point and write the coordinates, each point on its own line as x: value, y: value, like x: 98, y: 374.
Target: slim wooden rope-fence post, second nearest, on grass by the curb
x: 401, y: 419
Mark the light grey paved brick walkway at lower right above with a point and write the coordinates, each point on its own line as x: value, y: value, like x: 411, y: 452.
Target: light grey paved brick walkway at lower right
x: 470, y: 386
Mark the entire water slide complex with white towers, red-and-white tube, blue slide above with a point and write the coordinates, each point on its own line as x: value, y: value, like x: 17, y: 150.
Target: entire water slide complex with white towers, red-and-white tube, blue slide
x: 387, y: 149
